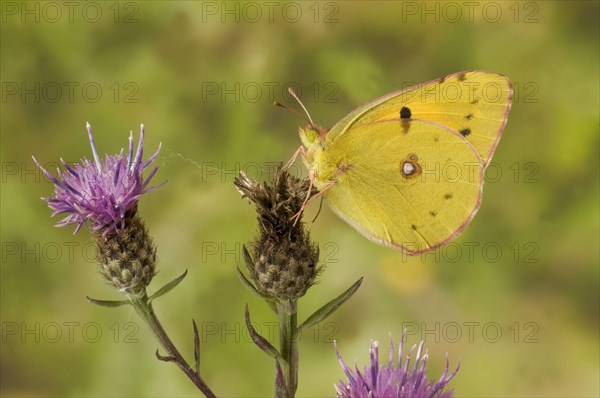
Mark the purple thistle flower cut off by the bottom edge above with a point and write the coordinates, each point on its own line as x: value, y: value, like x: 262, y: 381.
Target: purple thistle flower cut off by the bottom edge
x: 388, y: 381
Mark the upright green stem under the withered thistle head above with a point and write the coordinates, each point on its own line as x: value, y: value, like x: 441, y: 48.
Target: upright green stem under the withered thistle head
x: 287, y: 315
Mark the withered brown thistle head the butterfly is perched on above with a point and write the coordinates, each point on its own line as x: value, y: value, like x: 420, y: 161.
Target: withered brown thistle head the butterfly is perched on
x: 282, y: 261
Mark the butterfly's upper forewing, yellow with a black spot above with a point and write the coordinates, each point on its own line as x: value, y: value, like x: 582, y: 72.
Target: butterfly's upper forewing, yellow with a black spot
x: 474, y: 103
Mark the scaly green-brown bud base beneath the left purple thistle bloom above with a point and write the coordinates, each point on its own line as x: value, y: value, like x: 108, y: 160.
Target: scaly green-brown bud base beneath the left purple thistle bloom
x: 127, y: 256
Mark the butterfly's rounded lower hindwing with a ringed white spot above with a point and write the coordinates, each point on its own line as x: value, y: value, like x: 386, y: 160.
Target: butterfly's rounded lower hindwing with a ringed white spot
x: 408, y: 184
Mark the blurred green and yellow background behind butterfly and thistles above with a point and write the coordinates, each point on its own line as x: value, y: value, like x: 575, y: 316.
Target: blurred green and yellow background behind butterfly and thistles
x: 514, y: 298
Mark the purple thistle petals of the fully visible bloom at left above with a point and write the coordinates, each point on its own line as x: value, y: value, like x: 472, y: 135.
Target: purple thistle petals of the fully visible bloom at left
x: 102, y: 192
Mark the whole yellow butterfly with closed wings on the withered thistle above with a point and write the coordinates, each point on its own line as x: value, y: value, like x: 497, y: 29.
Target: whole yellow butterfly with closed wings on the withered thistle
x: 406, y: 170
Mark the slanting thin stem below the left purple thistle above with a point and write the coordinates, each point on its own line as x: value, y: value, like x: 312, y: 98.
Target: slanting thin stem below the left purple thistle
x: 144, y: 308
